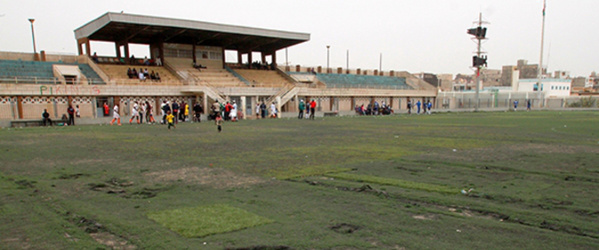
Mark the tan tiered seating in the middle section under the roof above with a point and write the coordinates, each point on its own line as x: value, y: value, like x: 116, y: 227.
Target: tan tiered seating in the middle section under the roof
x: 210, y: 76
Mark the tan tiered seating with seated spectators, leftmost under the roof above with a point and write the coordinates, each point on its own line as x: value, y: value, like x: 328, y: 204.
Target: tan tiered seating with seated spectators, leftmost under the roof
x: 118, y: 73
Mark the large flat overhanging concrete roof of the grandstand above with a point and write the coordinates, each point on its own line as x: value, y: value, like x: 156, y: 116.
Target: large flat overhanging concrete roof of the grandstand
x: 120, y: 27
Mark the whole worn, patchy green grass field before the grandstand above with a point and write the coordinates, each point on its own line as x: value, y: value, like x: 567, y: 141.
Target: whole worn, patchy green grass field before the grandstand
x: 457, y: 180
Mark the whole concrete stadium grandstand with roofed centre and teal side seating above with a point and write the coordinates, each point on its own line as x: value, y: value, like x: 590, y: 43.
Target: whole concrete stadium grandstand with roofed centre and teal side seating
x: 186, y: 63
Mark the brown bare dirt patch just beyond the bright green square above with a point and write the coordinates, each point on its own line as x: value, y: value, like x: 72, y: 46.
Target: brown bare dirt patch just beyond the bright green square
x: 214, y: 177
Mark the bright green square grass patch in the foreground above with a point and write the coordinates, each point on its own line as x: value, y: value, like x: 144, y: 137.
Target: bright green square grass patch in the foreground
x: 207, y: 220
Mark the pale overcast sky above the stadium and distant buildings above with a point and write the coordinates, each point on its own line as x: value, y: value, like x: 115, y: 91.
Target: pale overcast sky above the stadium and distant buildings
x: 417, y: 36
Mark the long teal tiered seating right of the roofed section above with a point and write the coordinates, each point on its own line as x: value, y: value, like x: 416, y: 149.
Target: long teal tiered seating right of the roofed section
x: 362, y: 81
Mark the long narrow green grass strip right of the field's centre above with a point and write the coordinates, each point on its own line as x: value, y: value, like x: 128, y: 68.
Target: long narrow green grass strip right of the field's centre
x: 395, y: 182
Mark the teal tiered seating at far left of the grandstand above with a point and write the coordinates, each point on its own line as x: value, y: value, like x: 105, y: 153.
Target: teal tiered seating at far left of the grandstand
x: 41, y: 70
